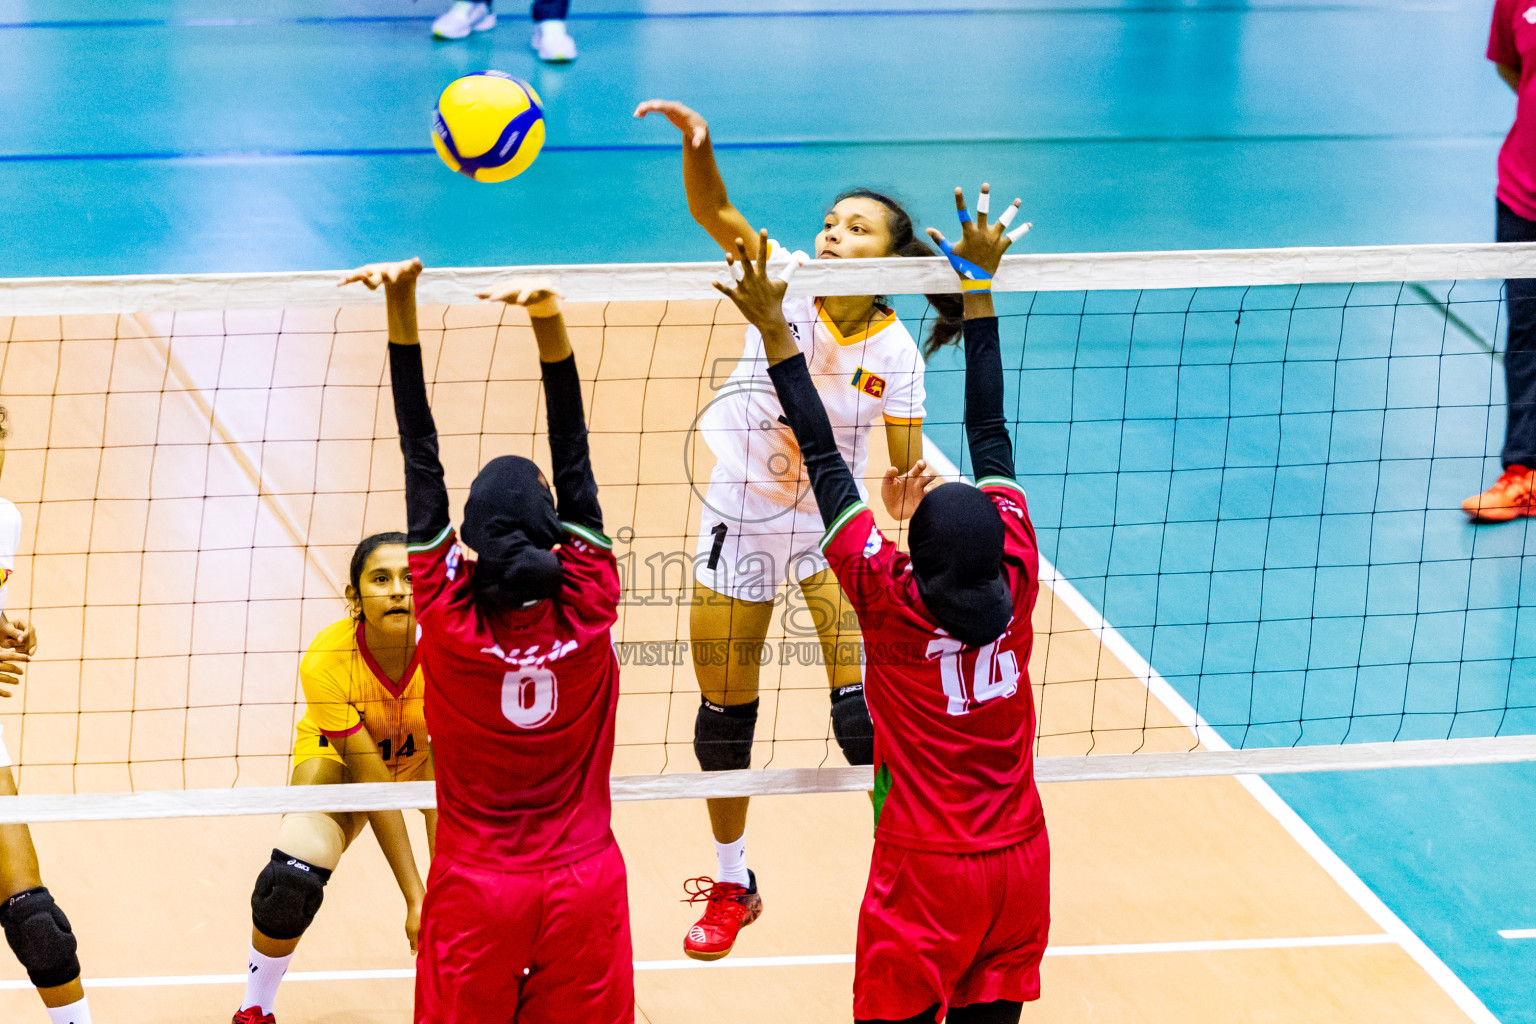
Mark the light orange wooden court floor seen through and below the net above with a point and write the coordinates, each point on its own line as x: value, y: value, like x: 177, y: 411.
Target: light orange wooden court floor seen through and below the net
x: 190, y: 501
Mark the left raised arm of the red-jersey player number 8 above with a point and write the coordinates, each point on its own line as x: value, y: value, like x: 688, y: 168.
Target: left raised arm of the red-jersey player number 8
x: 426, y: 494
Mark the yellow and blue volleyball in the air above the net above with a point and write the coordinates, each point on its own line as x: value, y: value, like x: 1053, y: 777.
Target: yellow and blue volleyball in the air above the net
x: 489, y: 127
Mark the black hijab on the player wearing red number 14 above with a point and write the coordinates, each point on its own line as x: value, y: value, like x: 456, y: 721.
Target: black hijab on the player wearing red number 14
x: 958, y: 560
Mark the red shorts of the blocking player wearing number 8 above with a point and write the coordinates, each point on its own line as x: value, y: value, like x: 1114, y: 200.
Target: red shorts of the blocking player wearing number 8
x: 534, y: 948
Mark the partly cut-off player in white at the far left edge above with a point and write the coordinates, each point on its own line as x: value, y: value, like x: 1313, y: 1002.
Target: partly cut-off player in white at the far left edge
x: 36, y: 930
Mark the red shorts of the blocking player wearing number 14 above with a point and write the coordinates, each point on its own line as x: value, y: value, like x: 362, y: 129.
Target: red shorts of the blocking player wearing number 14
x: 952, y: 930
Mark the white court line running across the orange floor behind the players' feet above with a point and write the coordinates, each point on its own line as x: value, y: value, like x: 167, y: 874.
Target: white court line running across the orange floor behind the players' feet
x: 818, y: 960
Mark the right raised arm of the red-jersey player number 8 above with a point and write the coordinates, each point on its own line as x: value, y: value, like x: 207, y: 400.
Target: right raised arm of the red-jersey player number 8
x: 575, y: 486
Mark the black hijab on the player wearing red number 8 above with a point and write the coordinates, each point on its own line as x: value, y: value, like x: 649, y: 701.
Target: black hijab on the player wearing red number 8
x: 511, y: 523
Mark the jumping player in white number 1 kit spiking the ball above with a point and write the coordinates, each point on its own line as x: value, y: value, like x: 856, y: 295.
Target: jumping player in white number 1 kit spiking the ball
x: 761, y: 527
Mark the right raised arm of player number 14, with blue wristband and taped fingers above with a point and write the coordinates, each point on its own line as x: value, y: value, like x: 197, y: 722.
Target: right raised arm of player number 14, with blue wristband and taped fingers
x: 976, y: 260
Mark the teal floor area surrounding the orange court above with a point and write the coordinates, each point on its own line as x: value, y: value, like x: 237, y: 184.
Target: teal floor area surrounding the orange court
x: 1257, y: 487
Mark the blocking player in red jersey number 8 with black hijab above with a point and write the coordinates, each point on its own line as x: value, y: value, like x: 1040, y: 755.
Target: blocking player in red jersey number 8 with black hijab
x: 528, y: 911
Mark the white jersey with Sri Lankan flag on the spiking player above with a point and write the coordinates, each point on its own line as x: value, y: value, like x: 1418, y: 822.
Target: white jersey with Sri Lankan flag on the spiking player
x: 864, y: 378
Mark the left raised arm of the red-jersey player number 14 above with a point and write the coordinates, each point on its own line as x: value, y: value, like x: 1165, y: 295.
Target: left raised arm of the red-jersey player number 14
x: 761, y: 300
